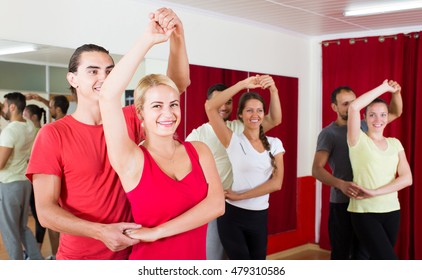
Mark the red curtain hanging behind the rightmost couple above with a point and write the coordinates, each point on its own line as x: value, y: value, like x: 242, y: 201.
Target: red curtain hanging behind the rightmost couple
x: 362, y: 64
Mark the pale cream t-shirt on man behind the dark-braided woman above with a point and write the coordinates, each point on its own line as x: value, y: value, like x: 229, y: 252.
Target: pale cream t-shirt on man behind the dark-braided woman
x: 206, y: 134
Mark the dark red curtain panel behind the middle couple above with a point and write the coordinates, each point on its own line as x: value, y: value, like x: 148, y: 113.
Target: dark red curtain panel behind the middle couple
x: 282, y: 211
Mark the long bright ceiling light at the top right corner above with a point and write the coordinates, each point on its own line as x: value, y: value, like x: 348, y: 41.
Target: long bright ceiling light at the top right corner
x: 383, y: 8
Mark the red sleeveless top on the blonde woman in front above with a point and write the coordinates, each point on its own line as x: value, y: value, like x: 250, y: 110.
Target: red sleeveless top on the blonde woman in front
x: 159, y: 198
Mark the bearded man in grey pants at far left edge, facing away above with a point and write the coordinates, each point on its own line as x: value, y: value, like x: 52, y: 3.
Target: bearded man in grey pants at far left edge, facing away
x: 15, y: 190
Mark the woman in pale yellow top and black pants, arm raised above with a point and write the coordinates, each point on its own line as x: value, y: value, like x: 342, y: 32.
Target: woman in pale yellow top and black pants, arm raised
x: 380, y: 170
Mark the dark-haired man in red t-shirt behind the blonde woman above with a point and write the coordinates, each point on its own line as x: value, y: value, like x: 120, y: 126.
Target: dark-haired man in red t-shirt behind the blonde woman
x: 77, y: 191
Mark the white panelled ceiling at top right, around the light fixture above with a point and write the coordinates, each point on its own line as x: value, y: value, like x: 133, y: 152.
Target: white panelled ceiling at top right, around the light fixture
x: 307, y: 17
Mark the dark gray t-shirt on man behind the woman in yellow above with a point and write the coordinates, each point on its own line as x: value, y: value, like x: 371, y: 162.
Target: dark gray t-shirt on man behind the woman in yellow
x: 333, y: 139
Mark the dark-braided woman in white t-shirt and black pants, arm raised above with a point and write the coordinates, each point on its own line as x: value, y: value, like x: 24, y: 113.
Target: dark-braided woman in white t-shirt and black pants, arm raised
x: 258, y: 169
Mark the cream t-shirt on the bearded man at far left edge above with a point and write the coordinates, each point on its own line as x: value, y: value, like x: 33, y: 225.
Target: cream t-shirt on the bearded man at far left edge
x: 19, y: 136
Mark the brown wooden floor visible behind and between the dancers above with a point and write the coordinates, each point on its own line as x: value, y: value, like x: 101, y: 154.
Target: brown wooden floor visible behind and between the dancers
x: 304, y: 252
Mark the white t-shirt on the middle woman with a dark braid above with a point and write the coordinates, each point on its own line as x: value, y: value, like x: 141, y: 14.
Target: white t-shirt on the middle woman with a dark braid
x: 251, y: 169
